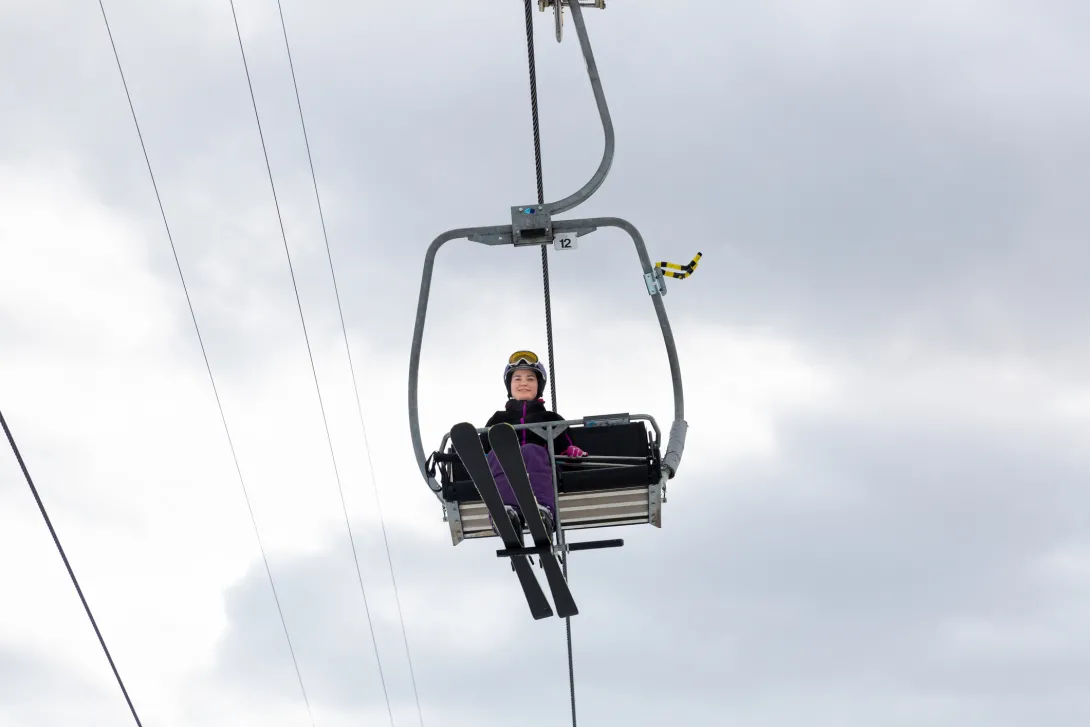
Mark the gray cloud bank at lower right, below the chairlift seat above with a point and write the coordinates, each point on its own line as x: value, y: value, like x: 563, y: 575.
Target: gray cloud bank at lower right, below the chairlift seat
x: 882, y: 571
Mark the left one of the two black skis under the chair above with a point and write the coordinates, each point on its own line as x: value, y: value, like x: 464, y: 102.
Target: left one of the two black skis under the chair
x: 467, y: 444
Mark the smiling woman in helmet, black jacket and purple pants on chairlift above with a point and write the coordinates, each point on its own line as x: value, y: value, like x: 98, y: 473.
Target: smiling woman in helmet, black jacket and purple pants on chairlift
x: 525, y: 380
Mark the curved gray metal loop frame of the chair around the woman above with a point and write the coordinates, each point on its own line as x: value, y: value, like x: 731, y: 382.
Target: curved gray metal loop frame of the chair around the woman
x: 493, y: 236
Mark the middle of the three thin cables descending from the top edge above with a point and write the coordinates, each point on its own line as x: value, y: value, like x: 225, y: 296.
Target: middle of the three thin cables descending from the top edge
x: 310, y: 354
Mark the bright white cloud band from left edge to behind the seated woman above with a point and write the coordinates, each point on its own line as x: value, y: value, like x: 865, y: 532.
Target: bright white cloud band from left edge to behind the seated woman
x: 147, y: 498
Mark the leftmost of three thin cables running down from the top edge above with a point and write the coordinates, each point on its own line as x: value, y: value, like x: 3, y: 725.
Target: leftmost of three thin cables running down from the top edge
x: 212, y: 378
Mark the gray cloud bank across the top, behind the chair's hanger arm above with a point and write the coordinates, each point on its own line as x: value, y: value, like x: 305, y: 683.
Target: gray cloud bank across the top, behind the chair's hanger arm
x: 889, y: 177
